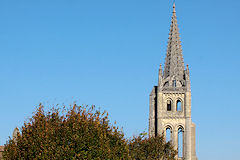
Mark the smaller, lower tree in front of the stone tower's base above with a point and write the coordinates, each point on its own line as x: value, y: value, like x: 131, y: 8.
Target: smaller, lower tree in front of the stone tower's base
x: 153, y: 148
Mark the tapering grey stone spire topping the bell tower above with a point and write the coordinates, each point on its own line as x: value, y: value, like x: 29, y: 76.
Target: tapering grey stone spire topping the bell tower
x: 174, y: 66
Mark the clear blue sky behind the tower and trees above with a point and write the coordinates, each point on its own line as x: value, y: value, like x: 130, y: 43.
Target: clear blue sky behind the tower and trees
x: 107, y: 53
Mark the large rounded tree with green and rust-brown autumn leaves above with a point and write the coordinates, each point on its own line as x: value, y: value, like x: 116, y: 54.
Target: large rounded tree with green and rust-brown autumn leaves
x: 78, y: 133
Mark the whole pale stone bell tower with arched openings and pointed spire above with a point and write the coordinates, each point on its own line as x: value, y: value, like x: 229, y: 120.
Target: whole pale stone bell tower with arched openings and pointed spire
x: 170, y: 101
